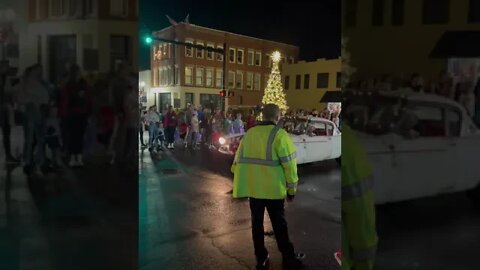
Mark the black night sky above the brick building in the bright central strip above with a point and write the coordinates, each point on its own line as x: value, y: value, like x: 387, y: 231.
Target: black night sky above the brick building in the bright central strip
x: 312, y: 25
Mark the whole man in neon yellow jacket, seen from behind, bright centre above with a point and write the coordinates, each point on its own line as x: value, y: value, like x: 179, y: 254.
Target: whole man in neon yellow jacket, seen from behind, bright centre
x: 265, y: 169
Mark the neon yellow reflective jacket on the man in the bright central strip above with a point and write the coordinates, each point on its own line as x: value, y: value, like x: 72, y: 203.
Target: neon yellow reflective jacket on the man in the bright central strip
x: 265, y: 165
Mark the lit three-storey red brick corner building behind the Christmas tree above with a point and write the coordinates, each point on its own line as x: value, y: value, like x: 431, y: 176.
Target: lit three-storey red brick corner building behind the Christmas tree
x: 183, y: 75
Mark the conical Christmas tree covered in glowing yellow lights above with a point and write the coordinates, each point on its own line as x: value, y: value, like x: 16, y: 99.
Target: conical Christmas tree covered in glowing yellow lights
x: 274, y: 93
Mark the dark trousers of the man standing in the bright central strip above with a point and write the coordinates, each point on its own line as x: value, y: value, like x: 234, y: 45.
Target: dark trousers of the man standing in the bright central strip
x: 276, y: 212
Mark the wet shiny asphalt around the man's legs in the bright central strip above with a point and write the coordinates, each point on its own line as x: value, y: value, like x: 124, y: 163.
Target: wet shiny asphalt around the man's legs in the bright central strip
x: 188, y: 219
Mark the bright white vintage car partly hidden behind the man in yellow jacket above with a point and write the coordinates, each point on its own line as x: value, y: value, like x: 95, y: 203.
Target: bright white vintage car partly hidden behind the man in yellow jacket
x: 316, y: 139
